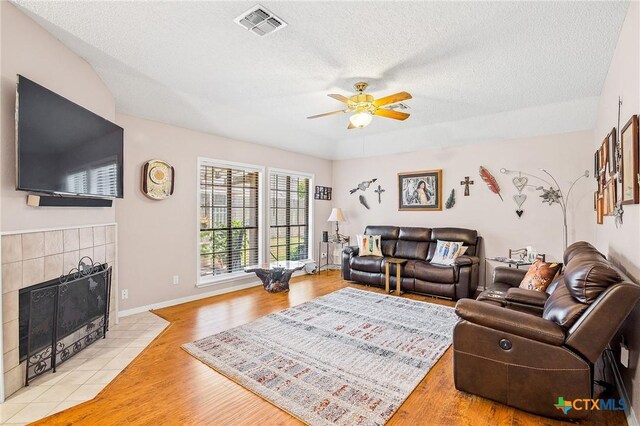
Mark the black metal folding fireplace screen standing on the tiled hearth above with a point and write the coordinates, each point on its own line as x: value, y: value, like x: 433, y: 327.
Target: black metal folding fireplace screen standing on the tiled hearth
x: 61, y: 317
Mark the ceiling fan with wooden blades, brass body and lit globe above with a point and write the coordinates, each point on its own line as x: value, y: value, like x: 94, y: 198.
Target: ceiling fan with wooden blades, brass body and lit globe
x: 364, y: 106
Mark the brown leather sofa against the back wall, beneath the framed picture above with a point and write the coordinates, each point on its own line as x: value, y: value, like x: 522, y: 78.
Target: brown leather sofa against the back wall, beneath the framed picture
x: 418, y: 275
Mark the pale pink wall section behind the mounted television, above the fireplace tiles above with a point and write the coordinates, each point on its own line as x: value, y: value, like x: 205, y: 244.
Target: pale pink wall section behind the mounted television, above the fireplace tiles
x: 29, y: 50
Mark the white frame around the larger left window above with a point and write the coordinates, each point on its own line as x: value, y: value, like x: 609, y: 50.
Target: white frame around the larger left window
x: 210, y: 162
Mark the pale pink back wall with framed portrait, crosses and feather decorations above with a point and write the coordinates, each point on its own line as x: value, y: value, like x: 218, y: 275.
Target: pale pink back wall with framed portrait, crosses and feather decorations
x: 565, y: 156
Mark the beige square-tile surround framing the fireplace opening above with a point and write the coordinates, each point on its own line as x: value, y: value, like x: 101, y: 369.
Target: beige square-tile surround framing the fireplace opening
x: 32, y: 257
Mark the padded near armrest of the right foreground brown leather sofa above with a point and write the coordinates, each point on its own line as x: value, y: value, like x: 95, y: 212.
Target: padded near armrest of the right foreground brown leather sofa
x: 509, y: 321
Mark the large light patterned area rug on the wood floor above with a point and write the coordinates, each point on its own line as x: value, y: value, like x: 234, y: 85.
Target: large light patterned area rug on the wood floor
x: 348, y: 358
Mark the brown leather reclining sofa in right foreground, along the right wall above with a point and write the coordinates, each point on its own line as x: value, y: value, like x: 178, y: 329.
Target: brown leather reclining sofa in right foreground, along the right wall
x: 528, y: 360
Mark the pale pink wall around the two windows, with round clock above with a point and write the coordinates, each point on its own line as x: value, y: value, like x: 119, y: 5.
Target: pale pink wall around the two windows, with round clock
x: 157, y: 239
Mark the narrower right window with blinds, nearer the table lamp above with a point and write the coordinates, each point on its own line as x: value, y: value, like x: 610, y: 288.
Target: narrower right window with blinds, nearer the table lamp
x: 289, y: 229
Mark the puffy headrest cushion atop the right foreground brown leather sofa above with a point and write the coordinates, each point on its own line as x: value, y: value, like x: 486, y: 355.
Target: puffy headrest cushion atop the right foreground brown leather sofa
x: 587, y: 275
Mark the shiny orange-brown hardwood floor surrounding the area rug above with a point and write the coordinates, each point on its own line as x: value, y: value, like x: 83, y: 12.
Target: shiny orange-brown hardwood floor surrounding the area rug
x: 167, y: 386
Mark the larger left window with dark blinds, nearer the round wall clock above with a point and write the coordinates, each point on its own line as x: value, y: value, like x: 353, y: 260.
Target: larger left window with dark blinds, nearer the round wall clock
x: 229, y: 202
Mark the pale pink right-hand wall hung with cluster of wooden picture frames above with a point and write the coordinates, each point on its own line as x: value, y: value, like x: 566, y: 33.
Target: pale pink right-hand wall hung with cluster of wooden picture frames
x: 622, y: 244
